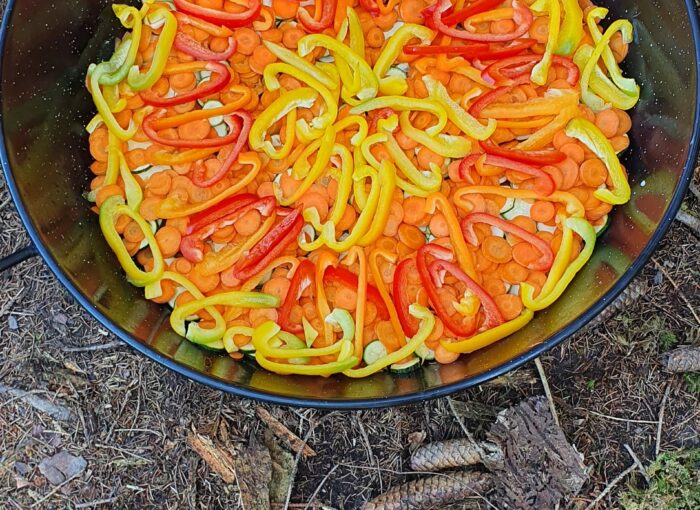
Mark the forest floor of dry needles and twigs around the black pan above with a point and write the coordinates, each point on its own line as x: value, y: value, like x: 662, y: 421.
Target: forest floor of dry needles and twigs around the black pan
x: 129, y: 418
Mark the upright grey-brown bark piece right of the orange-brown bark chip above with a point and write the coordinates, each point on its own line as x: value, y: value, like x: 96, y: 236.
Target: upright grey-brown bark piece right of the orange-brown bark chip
x: 253, y: 467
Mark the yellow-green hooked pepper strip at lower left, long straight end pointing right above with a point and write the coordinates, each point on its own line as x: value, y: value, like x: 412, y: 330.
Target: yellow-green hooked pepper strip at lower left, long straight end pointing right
x: 238, y: 299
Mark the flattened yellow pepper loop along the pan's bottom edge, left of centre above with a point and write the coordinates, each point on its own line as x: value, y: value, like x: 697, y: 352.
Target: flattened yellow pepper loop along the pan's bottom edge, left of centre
x: 268, y: 331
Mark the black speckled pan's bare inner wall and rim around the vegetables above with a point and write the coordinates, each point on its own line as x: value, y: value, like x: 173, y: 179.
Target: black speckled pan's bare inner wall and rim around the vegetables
x: 44, y: 110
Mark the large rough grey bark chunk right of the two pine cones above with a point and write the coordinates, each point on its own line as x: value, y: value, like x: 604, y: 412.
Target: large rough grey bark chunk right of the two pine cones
x: 540, y: 467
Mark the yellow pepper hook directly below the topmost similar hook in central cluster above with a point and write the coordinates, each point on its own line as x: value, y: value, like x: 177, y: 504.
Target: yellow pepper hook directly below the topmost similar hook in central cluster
x: 319, y: 123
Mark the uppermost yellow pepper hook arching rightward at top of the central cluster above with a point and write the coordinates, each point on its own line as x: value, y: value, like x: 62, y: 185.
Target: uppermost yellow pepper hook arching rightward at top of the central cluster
x: 369, y: 84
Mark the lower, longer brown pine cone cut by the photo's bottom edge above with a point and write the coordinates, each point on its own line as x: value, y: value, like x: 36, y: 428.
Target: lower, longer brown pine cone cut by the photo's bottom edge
x: 435, y: 491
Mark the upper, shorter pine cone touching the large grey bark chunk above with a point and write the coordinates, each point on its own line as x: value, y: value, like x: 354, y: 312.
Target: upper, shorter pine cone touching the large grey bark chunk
x: 455, y: 453
